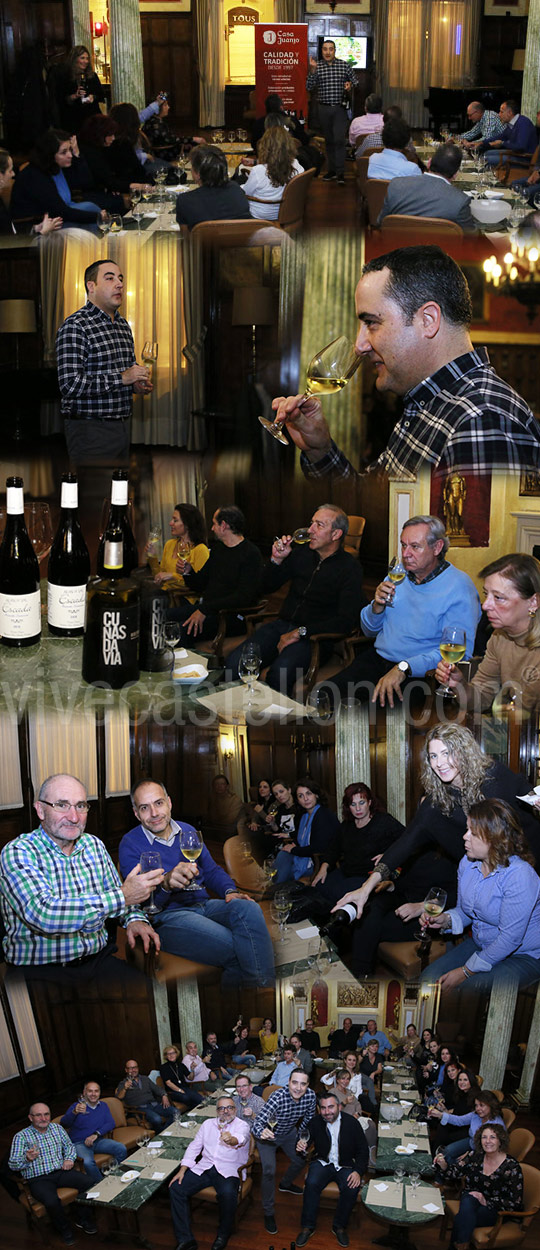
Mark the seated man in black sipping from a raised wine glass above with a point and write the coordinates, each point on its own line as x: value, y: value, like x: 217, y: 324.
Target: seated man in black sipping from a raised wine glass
x: 327, y: 603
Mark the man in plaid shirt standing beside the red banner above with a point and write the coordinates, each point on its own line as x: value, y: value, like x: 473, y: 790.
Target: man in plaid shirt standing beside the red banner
x: 332, y: 78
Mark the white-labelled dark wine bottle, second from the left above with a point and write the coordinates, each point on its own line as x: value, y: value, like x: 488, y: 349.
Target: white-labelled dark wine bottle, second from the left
x: 69, y: 568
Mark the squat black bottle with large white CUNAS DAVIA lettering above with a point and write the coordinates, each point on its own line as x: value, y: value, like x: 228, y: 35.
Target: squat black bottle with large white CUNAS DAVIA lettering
x: 111, y: 648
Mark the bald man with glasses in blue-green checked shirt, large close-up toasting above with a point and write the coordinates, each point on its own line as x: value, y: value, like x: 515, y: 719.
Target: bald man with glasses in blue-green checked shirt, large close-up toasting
x: 58, y: 891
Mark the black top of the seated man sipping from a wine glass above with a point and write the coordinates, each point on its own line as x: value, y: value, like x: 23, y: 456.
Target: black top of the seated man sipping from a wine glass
x: 324, y: 596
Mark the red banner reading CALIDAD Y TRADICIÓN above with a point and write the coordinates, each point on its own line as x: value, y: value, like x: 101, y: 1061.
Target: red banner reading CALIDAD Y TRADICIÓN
x: 282, y: 66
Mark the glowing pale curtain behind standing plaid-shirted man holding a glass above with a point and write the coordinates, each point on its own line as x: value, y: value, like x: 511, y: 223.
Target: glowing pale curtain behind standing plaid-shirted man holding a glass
x: 156, y: 306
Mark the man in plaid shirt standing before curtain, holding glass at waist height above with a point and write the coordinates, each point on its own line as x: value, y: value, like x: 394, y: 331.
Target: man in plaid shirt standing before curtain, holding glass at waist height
x: 98, y: 372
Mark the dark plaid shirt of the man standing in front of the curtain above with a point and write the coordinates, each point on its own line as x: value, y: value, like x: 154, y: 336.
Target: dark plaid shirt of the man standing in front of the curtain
x: 93, y: 352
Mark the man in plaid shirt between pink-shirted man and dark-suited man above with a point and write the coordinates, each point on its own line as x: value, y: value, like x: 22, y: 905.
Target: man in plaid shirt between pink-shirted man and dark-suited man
x: 289, y: 1112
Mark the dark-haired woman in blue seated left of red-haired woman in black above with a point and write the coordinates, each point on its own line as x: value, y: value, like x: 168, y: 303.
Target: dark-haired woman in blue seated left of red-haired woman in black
x: 314, y: 832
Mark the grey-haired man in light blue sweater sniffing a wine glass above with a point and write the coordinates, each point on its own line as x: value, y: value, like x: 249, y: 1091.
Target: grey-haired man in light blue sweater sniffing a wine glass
x: 407, y: 621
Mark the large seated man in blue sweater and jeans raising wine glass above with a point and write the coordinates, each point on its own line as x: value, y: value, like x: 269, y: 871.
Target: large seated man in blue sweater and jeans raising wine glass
x: 228, y: 931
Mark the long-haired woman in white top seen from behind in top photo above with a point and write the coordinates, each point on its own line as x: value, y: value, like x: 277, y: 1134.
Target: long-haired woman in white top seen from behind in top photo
x: 277, y: 166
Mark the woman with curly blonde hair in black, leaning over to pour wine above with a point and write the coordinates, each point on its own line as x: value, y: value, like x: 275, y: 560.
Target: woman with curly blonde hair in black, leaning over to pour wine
x: 457, y: 774
